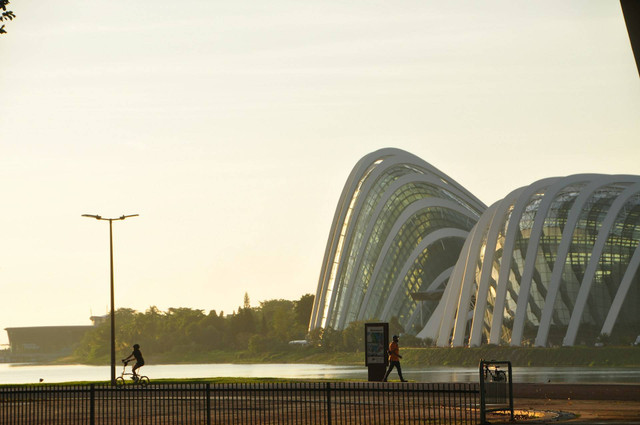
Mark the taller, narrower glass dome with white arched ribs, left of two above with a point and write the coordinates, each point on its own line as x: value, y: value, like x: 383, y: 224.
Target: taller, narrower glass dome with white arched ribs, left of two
x: 398, y: 230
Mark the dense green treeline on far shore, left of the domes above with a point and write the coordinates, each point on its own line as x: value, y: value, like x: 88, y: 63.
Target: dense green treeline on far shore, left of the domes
x: 185, y: 334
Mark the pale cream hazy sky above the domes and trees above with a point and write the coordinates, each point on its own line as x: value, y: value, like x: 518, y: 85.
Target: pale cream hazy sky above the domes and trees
x: 231, y: 127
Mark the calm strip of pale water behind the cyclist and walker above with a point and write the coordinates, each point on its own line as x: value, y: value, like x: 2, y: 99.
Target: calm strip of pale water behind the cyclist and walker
x: 28, y: 373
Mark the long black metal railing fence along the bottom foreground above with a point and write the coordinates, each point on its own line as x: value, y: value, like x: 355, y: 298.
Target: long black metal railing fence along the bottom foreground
x: 264, y: 403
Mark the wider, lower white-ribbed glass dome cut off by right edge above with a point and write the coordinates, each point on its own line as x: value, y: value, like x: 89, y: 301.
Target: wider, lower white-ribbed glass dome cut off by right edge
x: 553, y: 263
